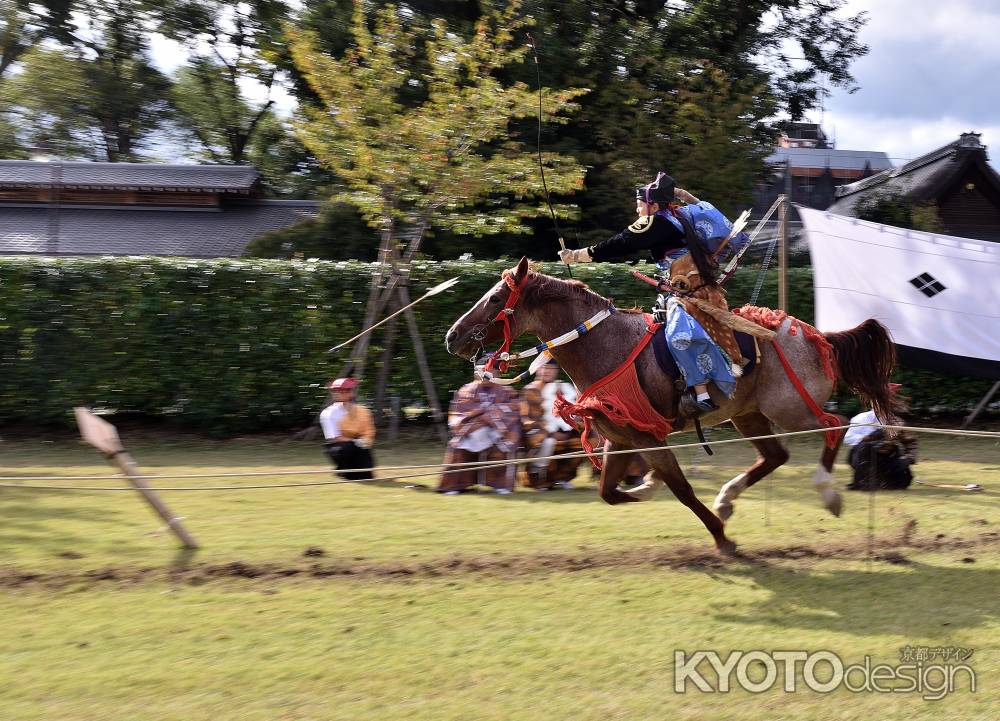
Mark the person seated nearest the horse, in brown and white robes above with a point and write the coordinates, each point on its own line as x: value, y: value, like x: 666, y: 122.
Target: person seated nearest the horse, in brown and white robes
x: 546, y: 434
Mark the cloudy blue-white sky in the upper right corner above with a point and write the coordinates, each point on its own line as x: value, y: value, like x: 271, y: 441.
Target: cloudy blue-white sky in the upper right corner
x: 933, y: 71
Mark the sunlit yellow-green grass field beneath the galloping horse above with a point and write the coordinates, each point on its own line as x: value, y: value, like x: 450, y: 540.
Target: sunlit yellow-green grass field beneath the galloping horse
x: 536, y: 606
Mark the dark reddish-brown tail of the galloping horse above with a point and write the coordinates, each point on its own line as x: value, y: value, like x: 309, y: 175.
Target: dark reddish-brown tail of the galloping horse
x: 866, y: 357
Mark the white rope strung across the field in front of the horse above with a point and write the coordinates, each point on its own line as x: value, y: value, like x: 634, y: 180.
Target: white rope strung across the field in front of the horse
x: 450, y: 467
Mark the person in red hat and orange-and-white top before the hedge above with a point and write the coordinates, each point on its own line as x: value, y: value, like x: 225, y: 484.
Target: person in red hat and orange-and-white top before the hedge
x: 349, y: 431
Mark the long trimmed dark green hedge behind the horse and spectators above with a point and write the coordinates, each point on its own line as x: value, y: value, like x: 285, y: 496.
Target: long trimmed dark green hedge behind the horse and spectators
x: 234, y: 346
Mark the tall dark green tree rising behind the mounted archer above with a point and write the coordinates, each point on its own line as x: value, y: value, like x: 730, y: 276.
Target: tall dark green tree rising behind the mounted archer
x: 645, y: 61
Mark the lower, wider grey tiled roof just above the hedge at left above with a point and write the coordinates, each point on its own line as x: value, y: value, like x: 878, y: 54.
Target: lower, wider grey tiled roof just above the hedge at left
x: 137, y: 231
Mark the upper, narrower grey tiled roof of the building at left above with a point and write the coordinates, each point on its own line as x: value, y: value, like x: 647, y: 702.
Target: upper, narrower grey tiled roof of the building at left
x: 240, y: 179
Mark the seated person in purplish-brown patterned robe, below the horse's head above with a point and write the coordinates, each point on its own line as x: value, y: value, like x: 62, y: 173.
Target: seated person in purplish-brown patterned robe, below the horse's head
x: 485, y: 424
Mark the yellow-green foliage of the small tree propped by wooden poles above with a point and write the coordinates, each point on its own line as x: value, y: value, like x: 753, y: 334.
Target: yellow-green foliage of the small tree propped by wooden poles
x: 437, y: 161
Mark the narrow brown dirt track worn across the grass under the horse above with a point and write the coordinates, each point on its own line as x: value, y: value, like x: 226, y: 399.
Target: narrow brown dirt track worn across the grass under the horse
x: 887, y: 550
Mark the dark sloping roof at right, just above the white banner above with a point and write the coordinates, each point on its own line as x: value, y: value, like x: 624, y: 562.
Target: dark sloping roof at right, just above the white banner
x: 923, y: 178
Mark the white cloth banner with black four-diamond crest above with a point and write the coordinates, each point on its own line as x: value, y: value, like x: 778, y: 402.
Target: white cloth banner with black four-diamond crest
x: 934, y: 292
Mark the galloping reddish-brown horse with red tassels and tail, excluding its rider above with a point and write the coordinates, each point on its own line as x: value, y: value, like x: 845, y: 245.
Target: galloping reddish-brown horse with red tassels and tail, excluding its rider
x: 630, y: 399
